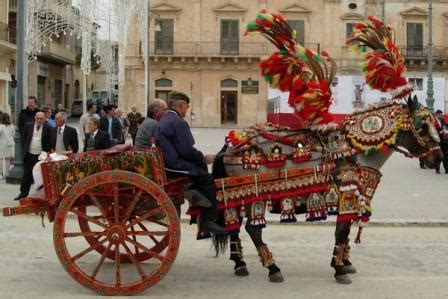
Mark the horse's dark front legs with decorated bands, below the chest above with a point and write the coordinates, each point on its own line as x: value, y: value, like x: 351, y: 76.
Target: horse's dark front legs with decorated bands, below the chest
x: 340, y: 253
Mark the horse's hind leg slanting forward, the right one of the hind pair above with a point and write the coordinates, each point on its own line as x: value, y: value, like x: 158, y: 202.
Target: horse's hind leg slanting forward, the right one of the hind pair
x: 255, y: 233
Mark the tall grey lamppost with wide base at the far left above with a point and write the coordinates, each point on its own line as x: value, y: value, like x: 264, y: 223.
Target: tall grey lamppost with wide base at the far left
x: 16, y: 173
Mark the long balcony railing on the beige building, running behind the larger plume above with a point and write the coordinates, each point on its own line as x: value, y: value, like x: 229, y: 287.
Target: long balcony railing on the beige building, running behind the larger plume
x: 212, y: 49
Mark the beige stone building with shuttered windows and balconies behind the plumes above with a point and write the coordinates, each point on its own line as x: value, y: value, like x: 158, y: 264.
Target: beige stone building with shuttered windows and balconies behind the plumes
x: 201, y: 50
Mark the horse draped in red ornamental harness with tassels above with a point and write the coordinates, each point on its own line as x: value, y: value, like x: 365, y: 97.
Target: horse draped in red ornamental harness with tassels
x: 326, y: 170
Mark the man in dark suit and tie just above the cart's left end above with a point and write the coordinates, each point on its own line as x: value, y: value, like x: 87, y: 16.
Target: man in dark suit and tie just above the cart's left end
x: 66, y: 138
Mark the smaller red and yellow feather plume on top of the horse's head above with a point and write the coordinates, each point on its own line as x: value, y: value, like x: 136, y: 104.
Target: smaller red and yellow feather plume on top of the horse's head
x: 382, y: 65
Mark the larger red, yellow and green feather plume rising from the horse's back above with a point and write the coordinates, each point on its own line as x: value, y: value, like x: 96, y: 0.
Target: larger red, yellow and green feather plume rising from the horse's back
x: 305, y: 74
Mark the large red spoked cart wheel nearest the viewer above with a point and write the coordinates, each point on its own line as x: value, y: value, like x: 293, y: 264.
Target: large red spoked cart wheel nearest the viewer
x: 116, y: 225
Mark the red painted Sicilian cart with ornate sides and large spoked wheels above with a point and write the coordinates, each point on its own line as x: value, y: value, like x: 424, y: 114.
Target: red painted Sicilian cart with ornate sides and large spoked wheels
x: 116, y: 224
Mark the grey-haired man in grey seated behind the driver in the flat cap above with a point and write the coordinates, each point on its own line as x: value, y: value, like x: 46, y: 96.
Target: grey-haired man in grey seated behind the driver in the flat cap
x: 145, y: 131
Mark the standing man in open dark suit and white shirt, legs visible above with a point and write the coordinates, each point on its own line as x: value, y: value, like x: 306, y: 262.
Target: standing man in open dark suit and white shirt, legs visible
x: 37, y: 138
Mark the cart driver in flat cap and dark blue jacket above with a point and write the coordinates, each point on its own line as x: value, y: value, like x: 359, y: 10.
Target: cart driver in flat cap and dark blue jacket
x: 181, y: 158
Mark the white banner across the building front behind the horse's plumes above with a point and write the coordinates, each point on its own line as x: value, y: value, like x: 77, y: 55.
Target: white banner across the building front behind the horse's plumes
x: 350, y: 93
